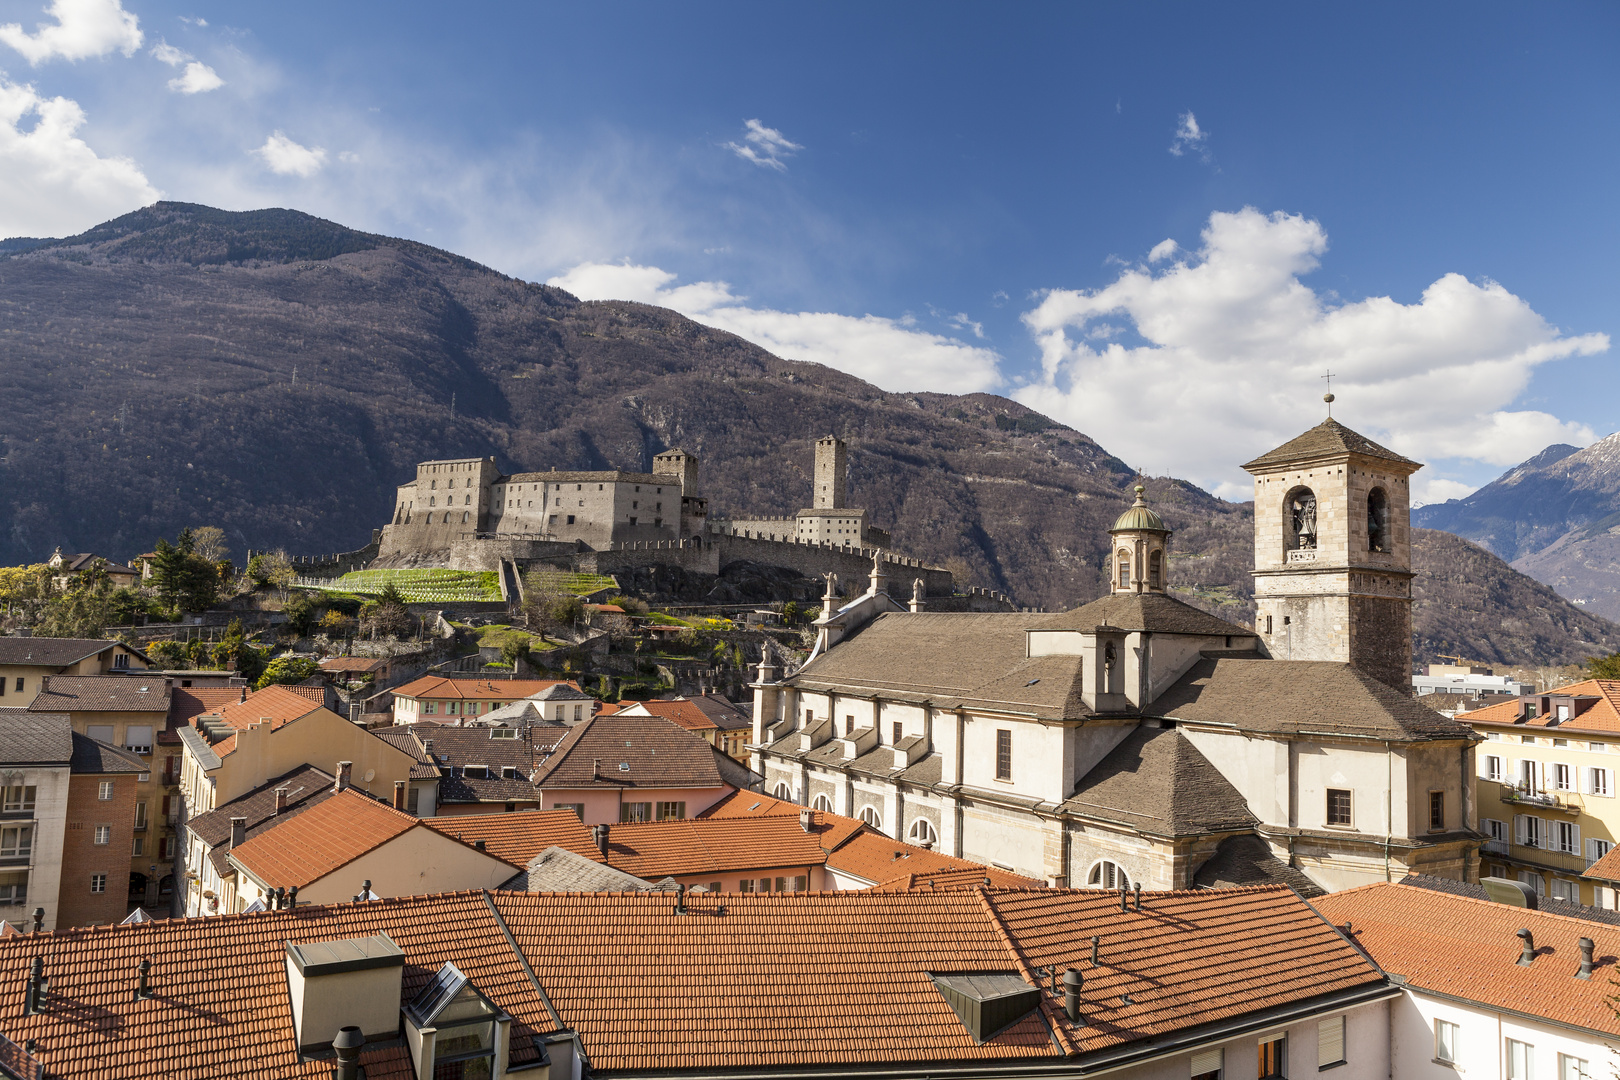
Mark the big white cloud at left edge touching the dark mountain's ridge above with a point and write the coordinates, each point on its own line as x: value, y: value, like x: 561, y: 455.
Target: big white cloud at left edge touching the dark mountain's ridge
x: 53, y: 184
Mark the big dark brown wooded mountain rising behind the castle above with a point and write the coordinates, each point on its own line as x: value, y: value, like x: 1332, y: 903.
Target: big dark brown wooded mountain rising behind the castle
x: 278, y: 375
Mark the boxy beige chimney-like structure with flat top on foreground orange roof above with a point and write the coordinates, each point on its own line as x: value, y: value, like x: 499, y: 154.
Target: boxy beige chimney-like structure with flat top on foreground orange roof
x: 344, y: 984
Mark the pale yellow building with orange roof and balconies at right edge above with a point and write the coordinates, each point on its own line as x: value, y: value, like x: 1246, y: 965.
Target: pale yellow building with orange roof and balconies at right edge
x: 1548, y: 788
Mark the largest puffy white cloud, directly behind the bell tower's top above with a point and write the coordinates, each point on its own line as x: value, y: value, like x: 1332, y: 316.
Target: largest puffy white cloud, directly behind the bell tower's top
x: 1235, y: 346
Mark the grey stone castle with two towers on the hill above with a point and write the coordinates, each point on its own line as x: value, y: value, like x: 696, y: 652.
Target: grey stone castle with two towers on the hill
x: 467, y: 516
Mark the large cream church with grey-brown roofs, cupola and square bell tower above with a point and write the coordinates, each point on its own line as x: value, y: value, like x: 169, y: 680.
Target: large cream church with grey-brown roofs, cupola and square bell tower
x: 1141, y: 741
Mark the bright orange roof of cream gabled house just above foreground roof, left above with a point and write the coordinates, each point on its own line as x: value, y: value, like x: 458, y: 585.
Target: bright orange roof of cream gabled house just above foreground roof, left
x: 310, y: 846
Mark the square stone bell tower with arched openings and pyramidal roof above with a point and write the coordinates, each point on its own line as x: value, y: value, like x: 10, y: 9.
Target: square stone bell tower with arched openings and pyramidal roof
x: 1332, y: 553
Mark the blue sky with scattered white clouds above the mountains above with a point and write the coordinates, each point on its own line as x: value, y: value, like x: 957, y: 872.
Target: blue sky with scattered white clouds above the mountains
x: 1159, y: 224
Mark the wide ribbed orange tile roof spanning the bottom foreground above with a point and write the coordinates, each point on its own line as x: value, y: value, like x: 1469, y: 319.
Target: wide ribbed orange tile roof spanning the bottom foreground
x: 749, y: 990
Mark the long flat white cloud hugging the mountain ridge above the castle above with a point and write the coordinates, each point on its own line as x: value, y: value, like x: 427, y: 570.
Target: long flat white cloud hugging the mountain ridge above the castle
x: 885, y: 352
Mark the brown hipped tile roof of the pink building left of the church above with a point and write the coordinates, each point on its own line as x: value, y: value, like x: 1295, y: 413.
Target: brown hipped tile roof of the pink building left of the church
x: 623, y: 752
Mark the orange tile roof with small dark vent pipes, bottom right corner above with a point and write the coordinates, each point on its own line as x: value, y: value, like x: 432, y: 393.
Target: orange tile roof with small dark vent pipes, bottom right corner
x: 1467, y: 948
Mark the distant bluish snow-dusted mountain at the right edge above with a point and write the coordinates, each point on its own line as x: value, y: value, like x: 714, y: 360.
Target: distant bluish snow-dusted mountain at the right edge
x: 1556, y: 517
